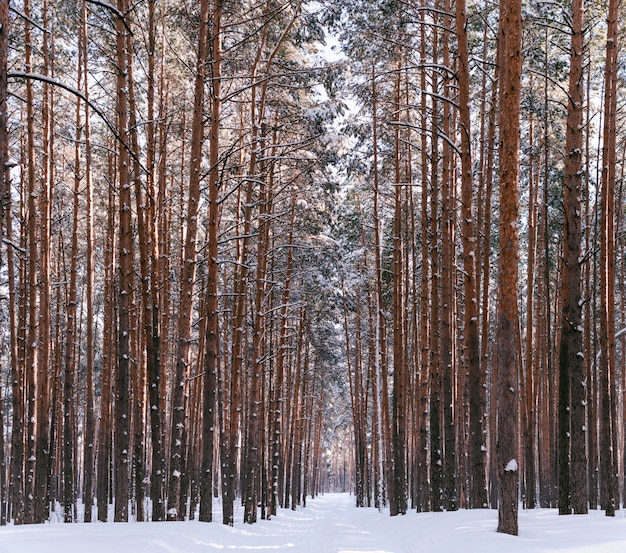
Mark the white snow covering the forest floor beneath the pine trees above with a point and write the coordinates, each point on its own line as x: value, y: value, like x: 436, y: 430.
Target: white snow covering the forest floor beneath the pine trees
x: 331, y: 524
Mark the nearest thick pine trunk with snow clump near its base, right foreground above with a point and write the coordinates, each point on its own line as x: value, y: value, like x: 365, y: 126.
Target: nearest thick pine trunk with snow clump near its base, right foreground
x: 510, y: 58
